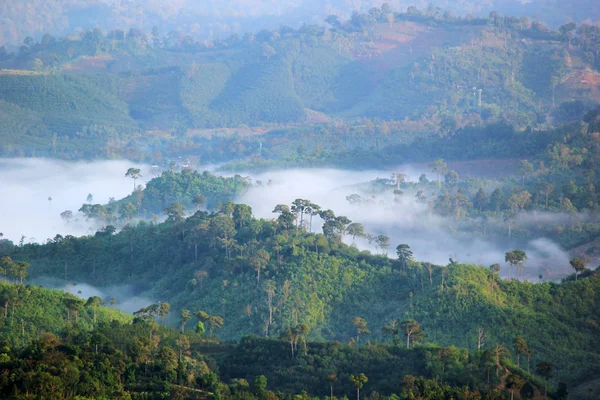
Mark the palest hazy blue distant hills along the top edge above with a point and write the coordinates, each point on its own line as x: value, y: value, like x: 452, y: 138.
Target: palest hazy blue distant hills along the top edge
x: 207, y: 20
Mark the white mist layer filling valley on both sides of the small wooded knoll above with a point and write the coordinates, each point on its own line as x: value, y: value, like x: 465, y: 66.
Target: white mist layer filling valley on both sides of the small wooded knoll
x: 28, y: 184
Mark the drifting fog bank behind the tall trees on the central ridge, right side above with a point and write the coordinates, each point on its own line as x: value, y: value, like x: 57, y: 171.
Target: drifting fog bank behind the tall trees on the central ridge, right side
x: 404, y: 221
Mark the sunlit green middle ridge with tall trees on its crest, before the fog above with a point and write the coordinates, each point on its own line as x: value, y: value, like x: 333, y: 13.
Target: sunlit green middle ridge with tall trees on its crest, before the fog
x: 254, y: 276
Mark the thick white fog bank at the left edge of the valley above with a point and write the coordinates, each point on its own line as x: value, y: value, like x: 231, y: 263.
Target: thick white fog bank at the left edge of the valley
x: 28, y: 183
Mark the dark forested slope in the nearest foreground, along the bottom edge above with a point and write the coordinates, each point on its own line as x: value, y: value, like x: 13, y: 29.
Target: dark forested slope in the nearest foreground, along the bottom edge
x: 88, y: 351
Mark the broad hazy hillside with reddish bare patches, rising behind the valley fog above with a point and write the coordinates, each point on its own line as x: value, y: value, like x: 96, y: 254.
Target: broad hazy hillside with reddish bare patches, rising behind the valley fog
x: 392, y: 75
